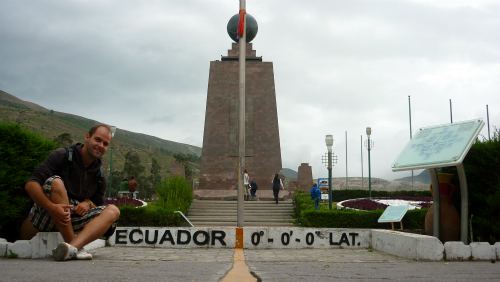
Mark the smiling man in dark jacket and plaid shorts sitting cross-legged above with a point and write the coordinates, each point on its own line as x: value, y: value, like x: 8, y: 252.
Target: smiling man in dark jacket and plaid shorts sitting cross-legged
x: 68, y: 193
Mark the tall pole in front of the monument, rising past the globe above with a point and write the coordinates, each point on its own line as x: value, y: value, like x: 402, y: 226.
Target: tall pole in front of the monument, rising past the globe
x: 241, y: 138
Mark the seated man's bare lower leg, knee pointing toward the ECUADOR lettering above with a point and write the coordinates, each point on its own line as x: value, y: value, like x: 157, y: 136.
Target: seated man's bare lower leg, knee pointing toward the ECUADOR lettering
x: 96, y: 227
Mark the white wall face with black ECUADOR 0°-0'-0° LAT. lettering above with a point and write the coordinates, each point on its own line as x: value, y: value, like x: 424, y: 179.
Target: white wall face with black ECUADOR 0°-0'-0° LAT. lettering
x: 253, y: 237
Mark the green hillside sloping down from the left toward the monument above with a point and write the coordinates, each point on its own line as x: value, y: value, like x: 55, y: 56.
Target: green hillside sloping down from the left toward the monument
x: 52, y: 124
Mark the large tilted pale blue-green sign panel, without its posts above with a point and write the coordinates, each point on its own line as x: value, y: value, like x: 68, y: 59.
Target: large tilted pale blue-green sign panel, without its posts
x: 438, y: 146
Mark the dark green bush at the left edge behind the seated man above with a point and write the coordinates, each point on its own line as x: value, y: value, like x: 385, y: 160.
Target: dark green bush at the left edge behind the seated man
x: 20, y: 152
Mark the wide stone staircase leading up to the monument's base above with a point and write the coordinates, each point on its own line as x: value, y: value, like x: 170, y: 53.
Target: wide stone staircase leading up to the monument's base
x: 256, y: 213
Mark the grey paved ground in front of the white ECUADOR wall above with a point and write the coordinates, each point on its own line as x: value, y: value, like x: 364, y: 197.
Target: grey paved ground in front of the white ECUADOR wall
x: 150, y: 264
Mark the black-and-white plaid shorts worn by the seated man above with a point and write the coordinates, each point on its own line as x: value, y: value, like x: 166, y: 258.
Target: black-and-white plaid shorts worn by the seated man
x: 43, y: 222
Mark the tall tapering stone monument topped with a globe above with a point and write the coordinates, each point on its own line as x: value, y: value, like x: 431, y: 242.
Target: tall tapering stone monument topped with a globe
x: 219, y: 157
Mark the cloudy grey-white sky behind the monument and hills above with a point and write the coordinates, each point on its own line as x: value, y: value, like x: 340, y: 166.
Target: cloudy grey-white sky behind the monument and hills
x: 338, y: 65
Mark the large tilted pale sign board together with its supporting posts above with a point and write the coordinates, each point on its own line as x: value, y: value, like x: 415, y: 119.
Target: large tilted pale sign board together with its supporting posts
x: 442, y: 146
